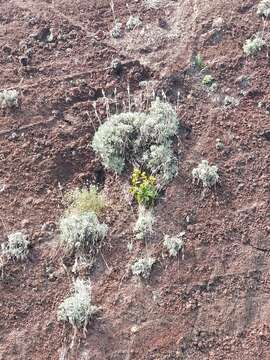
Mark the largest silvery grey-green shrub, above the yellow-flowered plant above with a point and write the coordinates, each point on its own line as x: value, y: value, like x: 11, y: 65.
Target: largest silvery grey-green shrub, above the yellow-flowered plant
x: 146, y: 137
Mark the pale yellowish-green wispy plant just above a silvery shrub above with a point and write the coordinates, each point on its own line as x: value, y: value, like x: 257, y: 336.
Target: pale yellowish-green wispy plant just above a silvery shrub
x: 84, y: 200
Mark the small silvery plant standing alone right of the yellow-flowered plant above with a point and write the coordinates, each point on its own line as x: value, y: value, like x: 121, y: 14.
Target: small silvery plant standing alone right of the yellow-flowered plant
x: 205, y: 173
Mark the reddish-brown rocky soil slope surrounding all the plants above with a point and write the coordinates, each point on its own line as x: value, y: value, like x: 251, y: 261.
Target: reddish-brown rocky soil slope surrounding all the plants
x: 214, y: 302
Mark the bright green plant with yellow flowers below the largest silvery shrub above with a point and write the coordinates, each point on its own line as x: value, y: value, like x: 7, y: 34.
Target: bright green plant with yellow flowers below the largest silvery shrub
x: 143, y: 187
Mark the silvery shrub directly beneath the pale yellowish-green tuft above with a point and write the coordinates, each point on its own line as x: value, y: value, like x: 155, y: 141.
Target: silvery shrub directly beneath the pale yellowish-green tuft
x: 82, y: 232
